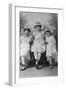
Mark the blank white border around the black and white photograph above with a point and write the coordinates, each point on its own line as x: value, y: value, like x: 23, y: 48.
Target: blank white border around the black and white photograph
x: 15, y: 47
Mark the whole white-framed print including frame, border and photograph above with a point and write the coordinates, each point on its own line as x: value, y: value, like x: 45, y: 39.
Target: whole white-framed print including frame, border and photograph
x: 35, y: 36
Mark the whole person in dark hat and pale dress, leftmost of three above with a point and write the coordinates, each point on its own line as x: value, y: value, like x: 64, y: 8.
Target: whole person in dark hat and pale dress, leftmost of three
x: 25, y: 48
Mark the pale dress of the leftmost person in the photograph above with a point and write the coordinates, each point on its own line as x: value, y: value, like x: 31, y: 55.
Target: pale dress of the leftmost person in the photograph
x: 25, y: 46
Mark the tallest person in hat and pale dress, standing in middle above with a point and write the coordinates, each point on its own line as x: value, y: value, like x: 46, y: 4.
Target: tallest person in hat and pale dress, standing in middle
x: 38, y: 46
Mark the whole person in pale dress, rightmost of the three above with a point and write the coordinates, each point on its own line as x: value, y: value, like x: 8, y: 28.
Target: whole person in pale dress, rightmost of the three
x: 51, y: 52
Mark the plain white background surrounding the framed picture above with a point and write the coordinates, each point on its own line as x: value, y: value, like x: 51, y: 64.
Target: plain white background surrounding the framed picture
x: 4, y: 43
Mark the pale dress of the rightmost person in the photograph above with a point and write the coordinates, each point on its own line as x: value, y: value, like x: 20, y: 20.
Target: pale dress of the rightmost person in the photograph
x: 51, y: 46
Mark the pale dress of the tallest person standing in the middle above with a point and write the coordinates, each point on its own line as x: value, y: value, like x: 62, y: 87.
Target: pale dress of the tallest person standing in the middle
x: 38, y: 43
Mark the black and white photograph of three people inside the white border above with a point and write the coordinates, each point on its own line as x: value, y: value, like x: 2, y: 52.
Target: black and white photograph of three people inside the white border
x: 38, y: 44
